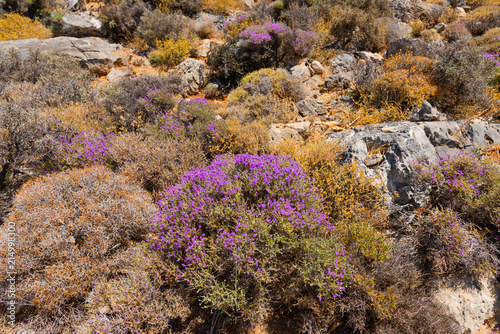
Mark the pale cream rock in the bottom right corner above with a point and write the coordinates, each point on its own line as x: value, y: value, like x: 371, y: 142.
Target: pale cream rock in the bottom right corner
x: 469, y: 302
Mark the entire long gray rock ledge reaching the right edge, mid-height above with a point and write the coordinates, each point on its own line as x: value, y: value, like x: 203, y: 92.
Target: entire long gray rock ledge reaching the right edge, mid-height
x: 384, y: 151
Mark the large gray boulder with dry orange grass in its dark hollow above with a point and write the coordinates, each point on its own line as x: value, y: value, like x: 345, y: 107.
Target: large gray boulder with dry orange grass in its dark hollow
x: 384, y: 151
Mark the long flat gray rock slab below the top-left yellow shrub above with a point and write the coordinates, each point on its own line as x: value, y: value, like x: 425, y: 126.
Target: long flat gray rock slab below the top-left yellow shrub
x: 95, y: 53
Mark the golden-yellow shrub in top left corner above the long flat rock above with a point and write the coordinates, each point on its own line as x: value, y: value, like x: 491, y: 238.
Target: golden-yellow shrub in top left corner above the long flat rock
x: 15, y: 26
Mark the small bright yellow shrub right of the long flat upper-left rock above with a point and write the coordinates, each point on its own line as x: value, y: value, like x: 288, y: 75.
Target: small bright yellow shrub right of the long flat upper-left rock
x: 171, y: 52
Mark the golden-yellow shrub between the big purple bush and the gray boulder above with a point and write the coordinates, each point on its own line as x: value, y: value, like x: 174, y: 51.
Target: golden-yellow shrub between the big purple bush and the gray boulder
x: 353, y: 202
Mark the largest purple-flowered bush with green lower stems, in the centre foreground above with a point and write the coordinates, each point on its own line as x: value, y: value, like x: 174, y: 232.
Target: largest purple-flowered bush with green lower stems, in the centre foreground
x: 240, y: 230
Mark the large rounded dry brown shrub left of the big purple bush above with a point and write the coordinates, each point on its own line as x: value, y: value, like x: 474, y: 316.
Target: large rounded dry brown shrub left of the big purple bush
x: 68, y: 226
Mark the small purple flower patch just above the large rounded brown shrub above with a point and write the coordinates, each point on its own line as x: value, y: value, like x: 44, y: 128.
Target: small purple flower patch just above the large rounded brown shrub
x: 86, y: 149
